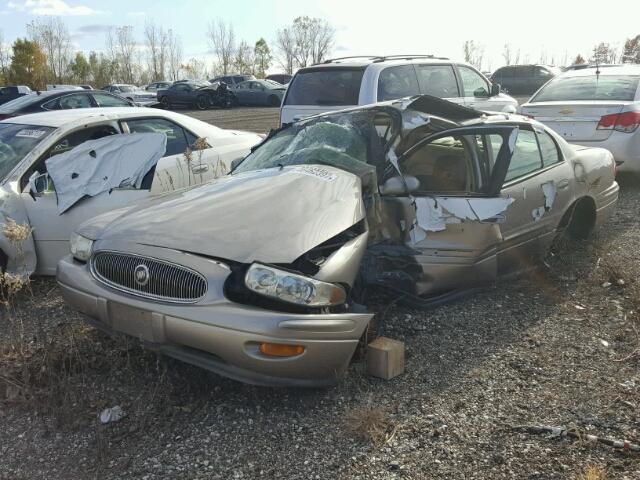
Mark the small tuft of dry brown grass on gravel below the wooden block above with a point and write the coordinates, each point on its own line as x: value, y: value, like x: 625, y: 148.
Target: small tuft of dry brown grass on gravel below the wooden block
x: 371, y: 423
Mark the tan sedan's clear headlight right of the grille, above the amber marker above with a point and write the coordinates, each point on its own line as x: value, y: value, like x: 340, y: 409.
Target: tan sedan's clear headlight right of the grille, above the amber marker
x: 292, y: 288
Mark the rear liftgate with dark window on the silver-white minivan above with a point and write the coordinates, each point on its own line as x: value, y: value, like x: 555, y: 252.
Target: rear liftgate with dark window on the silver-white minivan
x: 321, y: 89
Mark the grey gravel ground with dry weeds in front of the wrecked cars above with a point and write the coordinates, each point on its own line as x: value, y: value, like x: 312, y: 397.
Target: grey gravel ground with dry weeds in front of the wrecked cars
x: 553, y: 348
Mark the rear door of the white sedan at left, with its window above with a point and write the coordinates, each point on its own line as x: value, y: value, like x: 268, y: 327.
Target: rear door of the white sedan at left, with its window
x: 176, y: 170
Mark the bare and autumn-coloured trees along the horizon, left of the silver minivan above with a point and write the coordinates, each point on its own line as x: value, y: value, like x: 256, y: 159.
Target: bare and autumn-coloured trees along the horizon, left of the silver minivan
x: 46, y: 55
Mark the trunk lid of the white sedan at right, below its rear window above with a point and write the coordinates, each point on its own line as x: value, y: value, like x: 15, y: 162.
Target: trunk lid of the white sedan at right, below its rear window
x: 575, y: 121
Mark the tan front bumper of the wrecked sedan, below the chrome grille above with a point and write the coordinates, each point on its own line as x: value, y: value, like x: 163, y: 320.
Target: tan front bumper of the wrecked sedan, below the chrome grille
x: 217, y: 334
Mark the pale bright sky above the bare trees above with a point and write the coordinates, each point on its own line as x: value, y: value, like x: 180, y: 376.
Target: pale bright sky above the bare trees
x: 545, y: 30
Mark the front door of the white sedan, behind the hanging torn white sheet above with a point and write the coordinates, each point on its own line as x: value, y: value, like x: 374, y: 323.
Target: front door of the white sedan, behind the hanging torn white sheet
x: 51, y: 230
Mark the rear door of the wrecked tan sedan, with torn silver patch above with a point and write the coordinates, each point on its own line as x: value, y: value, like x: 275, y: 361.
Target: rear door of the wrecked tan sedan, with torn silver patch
x: 540, y: 181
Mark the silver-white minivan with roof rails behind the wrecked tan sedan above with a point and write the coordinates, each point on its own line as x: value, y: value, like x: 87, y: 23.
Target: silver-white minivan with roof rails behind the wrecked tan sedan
x: 352, y: 81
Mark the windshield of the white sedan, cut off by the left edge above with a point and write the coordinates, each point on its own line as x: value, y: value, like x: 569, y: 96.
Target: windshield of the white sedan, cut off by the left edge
x: 16, y: 141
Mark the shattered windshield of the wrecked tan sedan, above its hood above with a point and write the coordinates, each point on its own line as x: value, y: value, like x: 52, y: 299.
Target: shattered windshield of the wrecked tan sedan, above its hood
x: 351, y: 141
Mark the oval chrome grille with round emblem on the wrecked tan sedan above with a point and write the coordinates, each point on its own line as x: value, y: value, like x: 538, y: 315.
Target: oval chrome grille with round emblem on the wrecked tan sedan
x: 148, y: 277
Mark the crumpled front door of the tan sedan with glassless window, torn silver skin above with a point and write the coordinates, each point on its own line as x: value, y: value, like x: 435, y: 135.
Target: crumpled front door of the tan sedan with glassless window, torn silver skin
x: 450, y: 220
